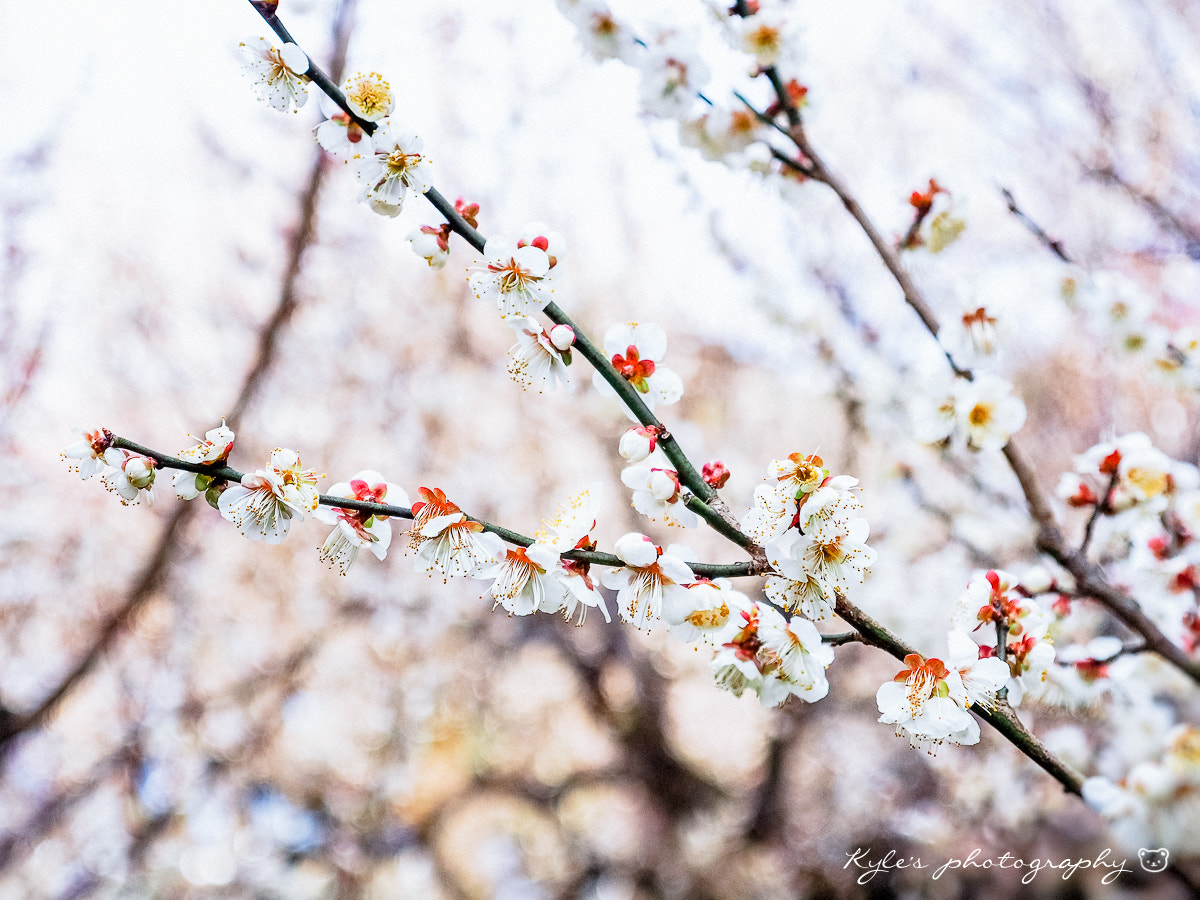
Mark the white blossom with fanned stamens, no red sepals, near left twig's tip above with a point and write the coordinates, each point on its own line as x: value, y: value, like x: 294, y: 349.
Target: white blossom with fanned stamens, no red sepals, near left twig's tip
x: 266, y: 502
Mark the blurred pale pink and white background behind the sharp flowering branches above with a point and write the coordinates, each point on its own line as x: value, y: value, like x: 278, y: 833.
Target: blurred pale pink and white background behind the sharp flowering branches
x: 188, y: 715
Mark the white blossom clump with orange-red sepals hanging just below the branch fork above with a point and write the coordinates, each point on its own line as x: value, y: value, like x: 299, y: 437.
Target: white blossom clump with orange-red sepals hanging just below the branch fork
x: 776, y: 658
